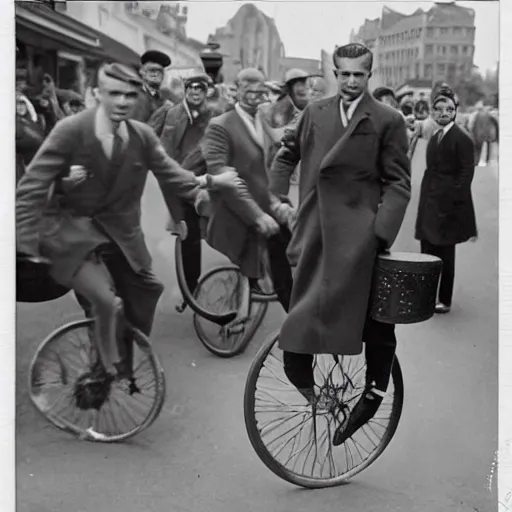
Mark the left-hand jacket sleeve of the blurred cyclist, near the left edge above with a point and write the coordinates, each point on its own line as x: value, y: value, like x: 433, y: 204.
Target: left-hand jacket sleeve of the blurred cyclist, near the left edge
x: 51, y: 161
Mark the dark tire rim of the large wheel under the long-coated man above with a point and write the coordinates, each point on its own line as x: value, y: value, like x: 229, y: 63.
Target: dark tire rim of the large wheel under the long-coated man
x: 275, y: 466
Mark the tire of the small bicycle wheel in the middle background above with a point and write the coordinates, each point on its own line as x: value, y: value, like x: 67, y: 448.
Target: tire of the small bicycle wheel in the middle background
x: 241, y: 344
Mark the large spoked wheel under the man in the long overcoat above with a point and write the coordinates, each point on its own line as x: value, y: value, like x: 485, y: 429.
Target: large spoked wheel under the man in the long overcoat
x: 295, y: 443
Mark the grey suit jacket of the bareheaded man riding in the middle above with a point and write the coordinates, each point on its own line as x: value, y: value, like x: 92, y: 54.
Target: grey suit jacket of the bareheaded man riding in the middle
x: 231, y: 228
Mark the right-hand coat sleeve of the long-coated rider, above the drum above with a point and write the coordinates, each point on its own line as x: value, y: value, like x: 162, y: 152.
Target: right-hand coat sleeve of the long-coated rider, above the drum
x: 395, y: 169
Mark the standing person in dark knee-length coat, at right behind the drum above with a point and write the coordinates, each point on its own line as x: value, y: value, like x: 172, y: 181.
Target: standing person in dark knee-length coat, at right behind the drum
x: 446, y: 216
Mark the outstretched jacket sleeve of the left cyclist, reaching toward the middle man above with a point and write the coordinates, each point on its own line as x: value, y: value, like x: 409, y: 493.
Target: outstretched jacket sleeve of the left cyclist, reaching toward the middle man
x: 174, y: 181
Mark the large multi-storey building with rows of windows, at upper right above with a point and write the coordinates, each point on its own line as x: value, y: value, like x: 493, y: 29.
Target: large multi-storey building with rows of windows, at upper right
x: 434, y: 45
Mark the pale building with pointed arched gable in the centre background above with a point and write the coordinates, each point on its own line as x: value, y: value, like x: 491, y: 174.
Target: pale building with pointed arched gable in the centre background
x: 250, y: 39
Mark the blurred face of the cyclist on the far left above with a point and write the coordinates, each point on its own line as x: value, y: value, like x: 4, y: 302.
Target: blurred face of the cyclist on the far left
x: 117, y: 98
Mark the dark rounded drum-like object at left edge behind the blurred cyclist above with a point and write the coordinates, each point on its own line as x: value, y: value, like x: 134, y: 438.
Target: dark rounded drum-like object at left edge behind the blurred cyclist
x: 34, y: 284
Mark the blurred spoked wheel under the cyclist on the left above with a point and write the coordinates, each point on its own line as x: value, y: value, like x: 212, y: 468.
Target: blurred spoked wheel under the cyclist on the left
x: 67, y: 386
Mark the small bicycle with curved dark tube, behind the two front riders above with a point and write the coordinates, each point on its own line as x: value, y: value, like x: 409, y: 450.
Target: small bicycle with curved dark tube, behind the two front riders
x: 227, y: 320
